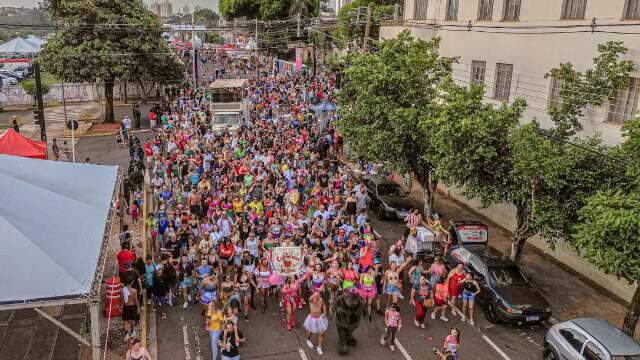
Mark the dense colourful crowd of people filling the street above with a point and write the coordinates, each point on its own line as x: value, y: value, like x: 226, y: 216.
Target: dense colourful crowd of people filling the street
x: 223, y: 201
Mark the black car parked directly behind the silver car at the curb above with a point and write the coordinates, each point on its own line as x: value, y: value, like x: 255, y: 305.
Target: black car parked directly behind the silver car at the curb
x: 506, y: 293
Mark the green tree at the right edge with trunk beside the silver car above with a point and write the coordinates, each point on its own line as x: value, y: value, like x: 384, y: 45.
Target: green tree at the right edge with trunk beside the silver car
x: 609, y: 223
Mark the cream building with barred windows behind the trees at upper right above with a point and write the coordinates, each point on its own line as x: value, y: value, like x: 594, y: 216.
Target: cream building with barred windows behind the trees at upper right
x: 509, y: 45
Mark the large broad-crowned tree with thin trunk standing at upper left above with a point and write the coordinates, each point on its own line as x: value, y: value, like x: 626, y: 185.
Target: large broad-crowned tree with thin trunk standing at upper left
x: 89, y: 46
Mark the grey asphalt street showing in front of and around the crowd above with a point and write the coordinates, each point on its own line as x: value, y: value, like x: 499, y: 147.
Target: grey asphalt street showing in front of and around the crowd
x: 182, y: 335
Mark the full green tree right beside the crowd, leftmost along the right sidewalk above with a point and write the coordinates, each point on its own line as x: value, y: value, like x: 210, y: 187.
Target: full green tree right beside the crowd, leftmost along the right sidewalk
x: 387, y: 95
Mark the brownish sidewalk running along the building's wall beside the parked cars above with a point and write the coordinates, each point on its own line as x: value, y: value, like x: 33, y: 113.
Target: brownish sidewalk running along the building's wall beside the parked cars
x: 569, y: 294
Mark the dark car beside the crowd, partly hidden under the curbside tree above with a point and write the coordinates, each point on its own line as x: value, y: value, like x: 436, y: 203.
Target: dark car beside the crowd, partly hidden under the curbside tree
x: 388, y: 199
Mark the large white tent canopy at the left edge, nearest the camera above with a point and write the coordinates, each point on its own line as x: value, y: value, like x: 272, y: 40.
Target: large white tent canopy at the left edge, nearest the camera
x: 52, y: 221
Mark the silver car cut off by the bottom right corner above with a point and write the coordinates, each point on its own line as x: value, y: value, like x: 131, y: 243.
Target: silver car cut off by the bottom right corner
x: 590, y: 339
